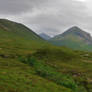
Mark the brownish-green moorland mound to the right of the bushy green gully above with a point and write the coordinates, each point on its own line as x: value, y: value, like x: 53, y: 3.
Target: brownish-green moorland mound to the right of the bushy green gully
x: 78, y: 65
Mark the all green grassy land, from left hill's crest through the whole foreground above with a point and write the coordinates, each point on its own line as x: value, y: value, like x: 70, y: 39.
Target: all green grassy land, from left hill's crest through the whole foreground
x: 30, y: 64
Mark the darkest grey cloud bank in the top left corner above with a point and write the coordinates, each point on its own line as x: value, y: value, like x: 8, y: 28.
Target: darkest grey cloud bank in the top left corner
x: 17, y: 6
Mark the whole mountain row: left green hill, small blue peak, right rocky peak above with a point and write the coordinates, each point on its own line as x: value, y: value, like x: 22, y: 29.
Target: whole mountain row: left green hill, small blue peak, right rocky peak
x: 19, y: 35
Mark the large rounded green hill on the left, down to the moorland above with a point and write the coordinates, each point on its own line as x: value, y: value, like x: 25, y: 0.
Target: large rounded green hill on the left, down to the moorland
x: 18, y: 37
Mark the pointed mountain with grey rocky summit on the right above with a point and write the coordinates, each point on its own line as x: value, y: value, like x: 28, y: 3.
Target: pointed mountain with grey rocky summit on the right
x: 74, y: 38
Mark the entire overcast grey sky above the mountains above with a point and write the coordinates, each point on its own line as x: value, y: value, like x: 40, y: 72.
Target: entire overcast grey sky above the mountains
x: 49, y: 16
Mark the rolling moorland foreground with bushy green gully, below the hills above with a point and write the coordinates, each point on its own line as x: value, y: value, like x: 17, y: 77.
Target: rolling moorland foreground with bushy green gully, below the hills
x: 49, y: 69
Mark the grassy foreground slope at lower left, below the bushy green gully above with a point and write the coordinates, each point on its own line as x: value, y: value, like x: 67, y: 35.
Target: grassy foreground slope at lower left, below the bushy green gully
x: 18, y: 77
